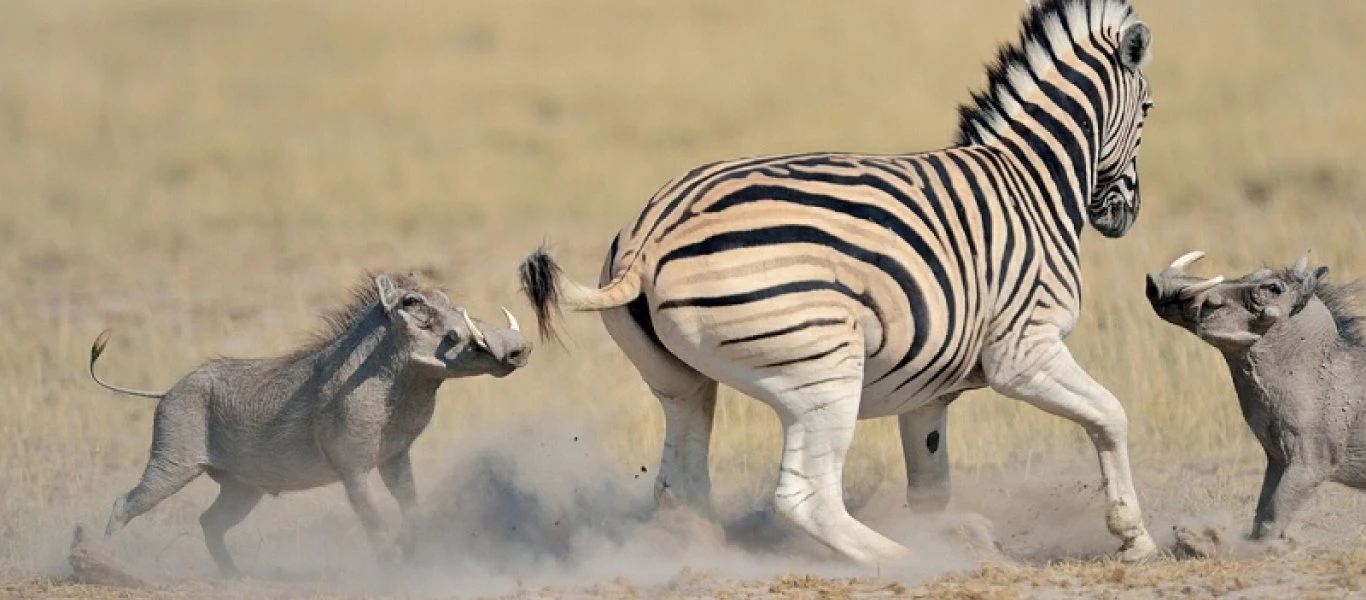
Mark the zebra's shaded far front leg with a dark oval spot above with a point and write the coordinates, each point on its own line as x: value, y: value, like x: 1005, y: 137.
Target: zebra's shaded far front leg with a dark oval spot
x: 925, y: 448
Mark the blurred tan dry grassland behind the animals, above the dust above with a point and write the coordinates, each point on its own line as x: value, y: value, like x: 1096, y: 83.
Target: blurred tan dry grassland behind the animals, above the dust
x: 208, y: 177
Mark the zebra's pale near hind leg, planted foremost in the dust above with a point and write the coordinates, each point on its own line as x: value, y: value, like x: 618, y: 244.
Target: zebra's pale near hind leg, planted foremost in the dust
x: 818, y: 430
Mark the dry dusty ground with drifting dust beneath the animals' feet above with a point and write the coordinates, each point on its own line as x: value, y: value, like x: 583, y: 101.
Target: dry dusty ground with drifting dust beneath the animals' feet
x: 522, y: 517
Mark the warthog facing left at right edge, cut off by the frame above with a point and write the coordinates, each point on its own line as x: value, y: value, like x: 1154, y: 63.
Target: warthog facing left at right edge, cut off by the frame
x: 1298, y: 362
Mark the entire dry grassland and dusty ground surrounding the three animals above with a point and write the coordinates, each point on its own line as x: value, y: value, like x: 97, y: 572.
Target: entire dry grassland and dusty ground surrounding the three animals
x: 208, y: 177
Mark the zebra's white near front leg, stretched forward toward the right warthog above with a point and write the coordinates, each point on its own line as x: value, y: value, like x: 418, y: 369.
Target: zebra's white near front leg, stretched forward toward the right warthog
x: 1048, y: 378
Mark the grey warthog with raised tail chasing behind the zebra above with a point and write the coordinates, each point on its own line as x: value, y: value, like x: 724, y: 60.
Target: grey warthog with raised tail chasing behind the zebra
x: 352, y: 401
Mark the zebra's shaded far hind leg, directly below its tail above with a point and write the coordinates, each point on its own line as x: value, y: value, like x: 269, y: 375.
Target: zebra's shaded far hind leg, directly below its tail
x: 689, y: 403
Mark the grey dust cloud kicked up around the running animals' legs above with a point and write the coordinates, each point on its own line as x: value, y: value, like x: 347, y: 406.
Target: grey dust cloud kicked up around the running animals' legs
x: 528, y: 506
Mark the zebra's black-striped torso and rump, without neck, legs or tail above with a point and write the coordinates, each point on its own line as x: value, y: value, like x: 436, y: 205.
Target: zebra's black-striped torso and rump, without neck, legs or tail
x: 898, y: 249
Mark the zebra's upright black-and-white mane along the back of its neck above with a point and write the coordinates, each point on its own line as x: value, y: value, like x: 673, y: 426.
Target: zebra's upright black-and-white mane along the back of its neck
x: 987, y: 107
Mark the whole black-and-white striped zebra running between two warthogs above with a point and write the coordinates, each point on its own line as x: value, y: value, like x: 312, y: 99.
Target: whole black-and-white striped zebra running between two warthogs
x: 844, y: 286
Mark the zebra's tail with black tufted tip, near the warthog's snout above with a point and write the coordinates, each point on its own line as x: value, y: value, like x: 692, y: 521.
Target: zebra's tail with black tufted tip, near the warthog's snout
x: 550, y: 290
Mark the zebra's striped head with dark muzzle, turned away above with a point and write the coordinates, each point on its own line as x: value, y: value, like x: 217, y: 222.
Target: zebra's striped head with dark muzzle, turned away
x: 1115, y: 200
